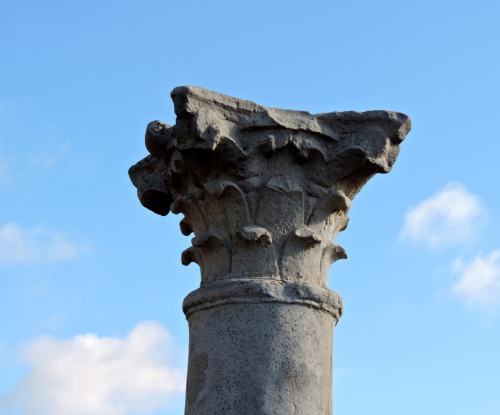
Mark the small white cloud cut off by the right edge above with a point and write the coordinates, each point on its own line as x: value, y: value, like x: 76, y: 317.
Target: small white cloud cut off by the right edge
x: 479, y: 282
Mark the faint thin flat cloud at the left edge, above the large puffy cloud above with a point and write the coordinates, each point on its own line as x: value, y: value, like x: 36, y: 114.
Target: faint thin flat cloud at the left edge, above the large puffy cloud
x: 36, y: 244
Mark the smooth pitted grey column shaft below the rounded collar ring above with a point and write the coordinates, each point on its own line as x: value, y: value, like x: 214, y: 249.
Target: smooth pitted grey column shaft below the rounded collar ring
x: 260, y: 359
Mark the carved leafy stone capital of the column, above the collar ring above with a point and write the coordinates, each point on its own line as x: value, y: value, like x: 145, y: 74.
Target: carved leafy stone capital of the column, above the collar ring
x: 264, y: 190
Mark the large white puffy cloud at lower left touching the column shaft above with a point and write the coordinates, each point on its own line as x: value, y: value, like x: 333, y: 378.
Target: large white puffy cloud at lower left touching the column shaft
x: 91, y: 375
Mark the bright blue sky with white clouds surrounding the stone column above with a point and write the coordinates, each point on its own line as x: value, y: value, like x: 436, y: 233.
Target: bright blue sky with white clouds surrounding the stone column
x: 91, y: 283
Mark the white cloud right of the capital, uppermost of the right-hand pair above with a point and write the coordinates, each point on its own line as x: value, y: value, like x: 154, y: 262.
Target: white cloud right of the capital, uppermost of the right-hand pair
x: 450, y: 217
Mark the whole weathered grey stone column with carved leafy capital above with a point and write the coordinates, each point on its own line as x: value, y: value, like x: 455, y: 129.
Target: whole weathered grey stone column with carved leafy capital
x: 264, y: 191
